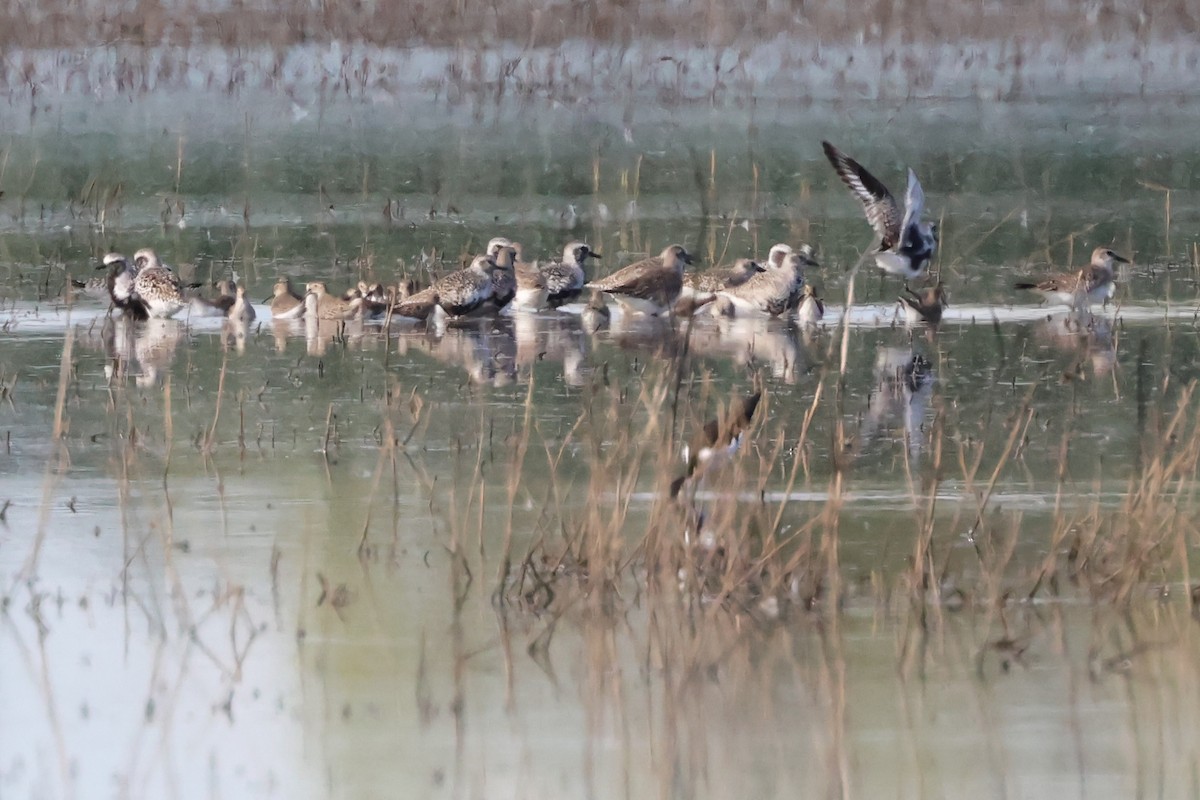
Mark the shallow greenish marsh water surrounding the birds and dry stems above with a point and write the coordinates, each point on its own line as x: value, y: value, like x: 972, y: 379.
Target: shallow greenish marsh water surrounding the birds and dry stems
x: 220, y: 584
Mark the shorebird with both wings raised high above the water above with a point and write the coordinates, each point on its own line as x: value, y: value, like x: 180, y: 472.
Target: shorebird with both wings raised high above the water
x: 907, y: 244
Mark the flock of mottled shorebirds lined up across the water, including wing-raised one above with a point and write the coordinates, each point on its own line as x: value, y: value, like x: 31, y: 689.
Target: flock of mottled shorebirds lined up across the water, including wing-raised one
x: 661, y: 286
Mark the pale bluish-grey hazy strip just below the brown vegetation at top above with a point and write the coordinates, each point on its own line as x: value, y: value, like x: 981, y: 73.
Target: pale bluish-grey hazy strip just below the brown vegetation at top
x: 651, y: 73
